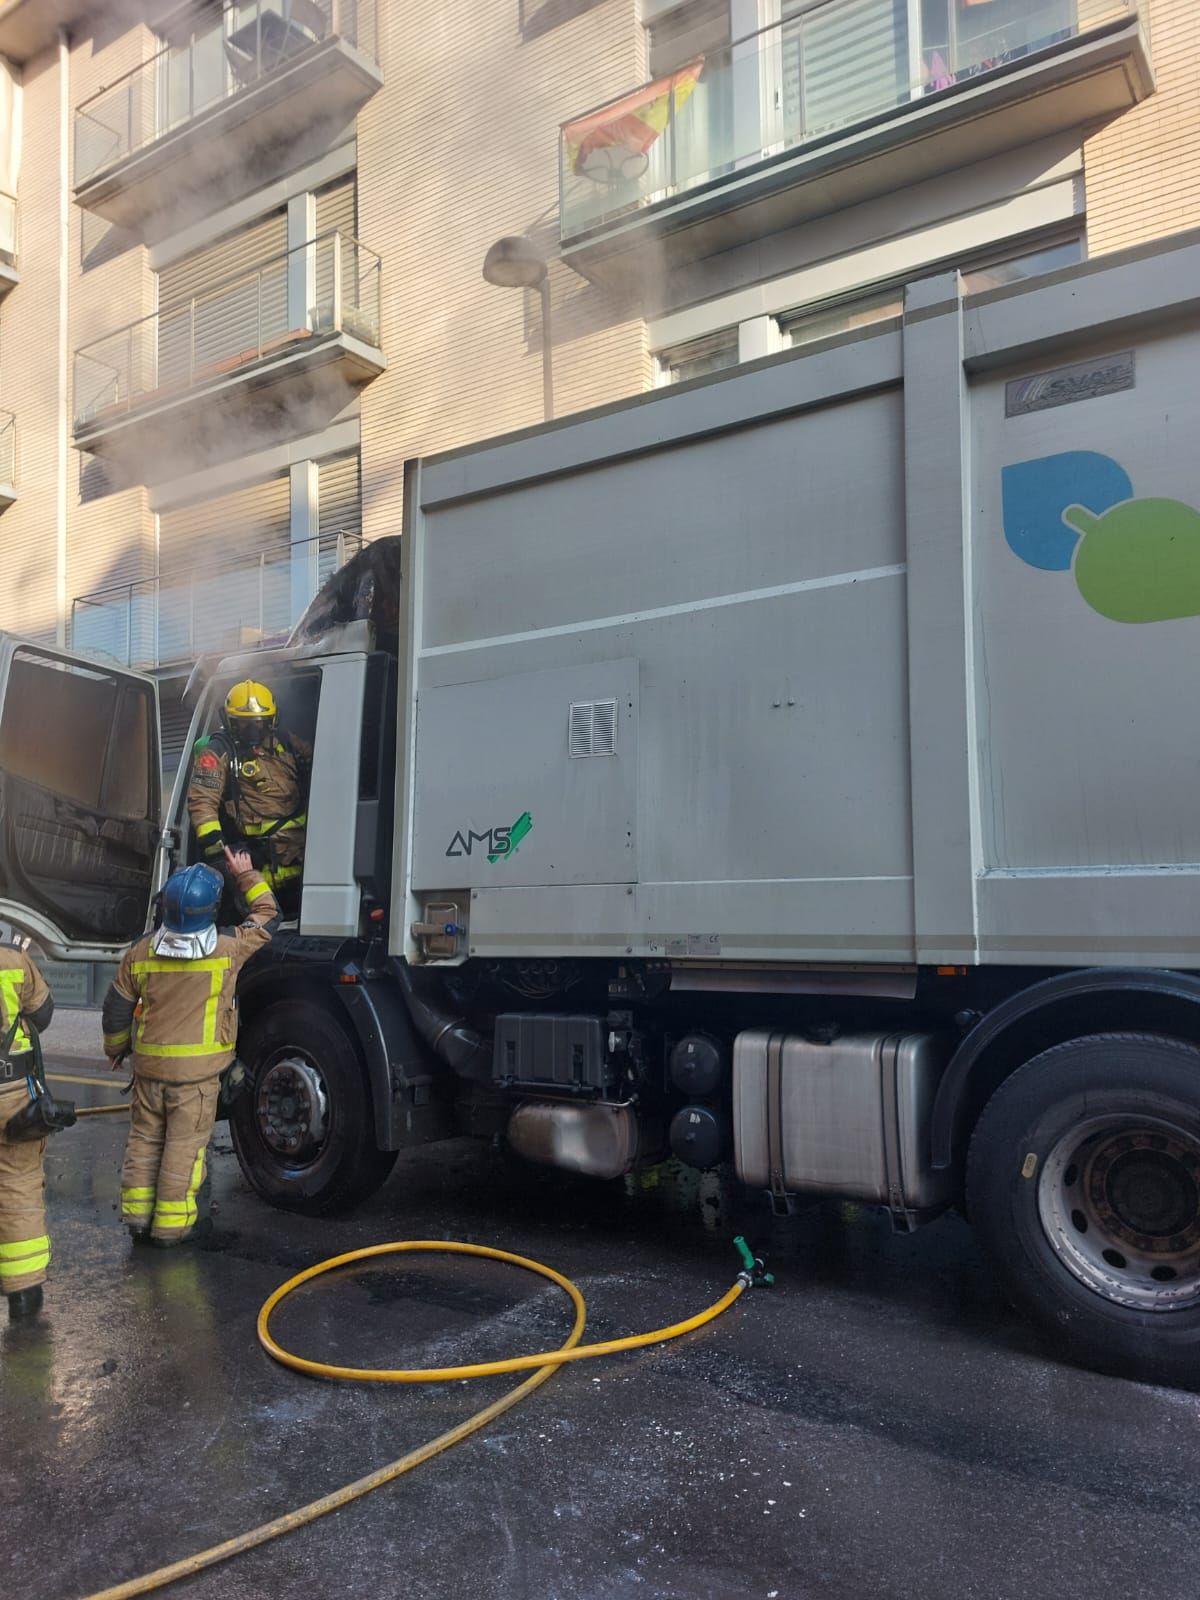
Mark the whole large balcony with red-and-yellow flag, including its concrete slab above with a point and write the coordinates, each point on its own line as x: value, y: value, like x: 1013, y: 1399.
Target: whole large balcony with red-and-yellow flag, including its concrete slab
x: 825, y: 111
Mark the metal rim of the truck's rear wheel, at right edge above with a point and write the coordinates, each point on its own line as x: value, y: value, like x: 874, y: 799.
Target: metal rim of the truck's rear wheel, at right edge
x: 1121, y: 1207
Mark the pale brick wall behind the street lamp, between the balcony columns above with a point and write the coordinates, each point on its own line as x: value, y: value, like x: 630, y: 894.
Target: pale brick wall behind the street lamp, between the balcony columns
x: 458, y: 150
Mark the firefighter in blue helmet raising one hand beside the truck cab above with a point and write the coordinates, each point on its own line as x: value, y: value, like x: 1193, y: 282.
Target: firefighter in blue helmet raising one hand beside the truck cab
x: 185, y: 975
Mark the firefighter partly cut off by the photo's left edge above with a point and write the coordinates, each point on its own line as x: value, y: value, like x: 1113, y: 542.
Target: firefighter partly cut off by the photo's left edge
x: 25, y: 1242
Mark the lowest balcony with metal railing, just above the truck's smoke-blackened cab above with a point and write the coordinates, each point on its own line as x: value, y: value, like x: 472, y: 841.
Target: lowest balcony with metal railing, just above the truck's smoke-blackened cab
x: 236, y: 606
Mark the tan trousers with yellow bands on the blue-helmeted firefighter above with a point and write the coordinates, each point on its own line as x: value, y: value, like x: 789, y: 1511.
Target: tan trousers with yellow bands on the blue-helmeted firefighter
x: 170, y: 1126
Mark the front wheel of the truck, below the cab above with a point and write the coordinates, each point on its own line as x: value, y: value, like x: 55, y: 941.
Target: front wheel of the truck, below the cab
x: 303, y: 1129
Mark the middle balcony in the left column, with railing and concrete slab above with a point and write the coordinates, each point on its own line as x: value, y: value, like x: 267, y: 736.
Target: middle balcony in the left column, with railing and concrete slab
x: 268, y: 354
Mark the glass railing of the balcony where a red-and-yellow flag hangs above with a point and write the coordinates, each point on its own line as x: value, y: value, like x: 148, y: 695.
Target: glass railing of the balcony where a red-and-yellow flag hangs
x: 823, y: 71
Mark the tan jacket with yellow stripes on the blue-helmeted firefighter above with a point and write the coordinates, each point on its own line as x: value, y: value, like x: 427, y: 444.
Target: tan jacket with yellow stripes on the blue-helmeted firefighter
x: 188, y: 1025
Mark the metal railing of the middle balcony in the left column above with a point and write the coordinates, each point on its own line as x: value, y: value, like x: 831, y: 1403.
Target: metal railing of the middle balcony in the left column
x: 281, y: 306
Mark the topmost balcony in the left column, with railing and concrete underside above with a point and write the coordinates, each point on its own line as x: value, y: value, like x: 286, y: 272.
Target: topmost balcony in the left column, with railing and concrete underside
x: 266, y: 76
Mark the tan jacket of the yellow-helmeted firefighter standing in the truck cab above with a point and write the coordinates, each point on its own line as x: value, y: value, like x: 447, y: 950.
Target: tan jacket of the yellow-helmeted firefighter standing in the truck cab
x: 258, y: 798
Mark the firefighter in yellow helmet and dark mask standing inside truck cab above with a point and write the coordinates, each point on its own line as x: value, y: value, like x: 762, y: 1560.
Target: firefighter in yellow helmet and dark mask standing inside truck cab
x: 250, y: 788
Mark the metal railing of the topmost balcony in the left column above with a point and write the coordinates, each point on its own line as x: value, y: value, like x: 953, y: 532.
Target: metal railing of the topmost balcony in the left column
x: 244, y: 44
